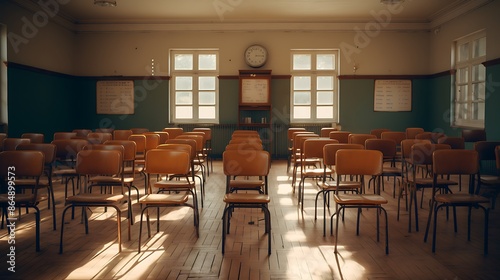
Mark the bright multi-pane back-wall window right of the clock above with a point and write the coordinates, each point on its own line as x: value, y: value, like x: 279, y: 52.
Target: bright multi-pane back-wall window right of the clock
x: 314, y: 86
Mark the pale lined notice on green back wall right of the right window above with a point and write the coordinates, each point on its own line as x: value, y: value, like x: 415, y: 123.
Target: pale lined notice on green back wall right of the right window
x: 392, y: 96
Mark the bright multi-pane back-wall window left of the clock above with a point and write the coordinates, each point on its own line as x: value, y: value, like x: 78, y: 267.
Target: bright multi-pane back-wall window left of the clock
x: 194, y: 86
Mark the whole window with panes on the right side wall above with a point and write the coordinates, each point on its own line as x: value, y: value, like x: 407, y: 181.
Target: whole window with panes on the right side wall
x: 470, y: 78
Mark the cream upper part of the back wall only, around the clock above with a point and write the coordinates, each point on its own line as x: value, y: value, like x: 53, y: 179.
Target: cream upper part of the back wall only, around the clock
x: 131, y: 53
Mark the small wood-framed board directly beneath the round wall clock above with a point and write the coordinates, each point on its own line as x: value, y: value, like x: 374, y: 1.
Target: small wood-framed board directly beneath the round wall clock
x: 255, y: 91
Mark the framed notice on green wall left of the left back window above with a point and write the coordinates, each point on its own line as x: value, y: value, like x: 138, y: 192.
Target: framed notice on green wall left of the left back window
x: 115, y: 97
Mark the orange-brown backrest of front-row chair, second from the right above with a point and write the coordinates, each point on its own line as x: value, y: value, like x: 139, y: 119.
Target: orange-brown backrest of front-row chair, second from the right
x: 358, y: 162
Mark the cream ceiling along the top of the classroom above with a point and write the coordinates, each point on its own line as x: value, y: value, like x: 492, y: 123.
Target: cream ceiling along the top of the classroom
x: 82, y: 14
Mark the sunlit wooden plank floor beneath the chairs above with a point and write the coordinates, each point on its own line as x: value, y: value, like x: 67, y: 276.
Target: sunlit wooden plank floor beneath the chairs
x: 299, y: 250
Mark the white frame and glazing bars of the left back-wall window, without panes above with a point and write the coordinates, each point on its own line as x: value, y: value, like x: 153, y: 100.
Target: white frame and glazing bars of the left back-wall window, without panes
x: 195, y: 73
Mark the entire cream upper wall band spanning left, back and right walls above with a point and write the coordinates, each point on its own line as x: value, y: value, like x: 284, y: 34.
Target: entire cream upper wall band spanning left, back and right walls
x: 53, y: 47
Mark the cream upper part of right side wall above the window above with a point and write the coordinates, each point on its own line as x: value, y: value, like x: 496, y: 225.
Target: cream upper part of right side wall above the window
x: 441, y: 40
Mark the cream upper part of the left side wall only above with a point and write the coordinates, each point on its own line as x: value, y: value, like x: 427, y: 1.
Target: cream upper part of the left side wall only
x: 35, y: 41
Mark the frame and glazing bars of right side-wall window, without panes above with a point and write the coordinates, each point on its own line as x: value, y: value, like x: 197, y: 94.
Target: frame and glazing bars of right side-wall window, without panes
x: 470, y: 103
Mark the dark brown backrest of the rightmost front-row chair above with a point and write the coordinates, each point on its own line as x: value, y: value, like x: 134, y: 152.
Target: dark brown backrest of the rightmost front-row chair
x: 455, y: 162
